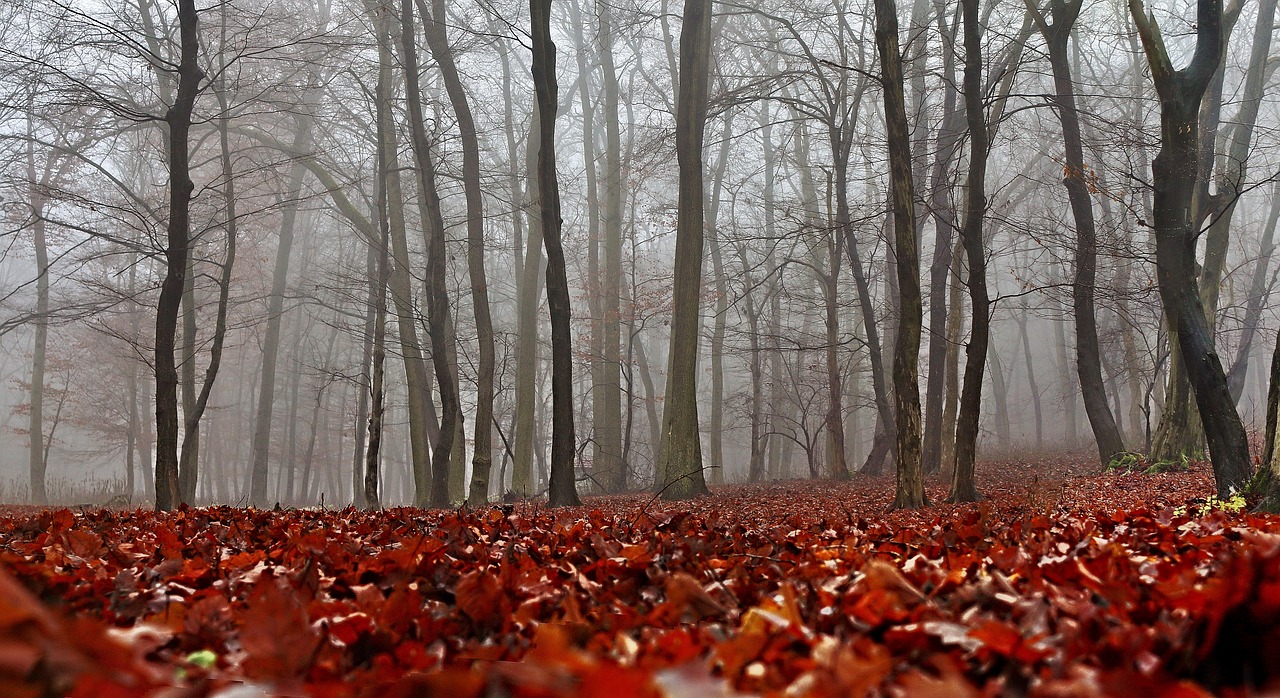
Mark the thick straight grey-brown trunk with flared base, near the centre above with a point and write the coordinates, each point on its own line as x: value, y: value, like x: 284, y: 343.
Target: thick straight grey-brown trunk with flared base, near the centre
x: 680, y: 462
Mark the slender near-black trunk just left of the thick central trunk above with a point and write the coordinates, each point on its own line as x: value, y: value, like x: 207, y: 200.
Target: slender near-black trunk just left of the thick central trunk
x: 564, y: 491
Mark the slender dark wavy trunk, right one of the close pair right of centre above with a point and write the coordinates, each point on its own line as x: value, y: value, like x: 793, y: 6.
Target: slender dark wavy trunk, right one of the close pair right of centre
x: 963, y: 486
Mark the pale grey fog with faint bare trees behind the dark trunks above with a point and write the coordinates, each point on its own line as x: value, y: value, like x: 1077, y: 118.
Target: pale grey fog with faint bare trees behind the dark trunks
x: 304, y: 162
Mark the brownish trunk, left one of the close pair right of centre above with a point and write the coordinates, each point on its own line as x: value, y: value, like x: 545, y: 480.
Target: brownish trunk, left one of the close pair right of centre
x: 907, y: 345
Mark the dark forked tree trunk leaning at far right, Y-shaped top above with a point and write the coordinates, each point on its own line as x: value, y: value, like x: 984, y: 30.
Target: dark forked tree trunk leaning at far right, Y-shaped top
x: 1174, y: 174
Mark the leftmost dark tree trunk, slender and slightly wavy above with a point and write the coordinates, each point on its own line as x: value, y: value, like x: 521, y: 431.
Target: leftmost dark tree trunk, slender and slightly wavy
x: 179, y: 231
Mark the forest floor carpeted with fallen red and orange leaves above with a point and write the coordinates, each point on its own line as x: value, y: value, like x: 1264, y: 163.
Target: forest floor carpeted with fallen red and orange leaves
x: 1062, y: 583
